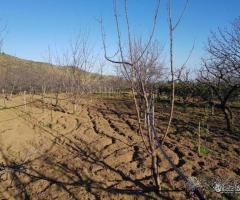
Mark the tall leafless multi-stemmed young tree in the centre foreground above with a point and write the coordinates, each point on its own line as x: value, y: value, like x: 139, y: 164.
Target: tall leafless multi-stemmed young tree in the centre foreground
x: 140, y: 65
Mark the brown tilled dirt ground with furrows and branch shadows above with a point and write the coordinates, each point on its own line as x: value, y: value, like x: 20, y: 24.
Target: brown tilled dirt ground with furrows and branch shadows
x: 96, y: 152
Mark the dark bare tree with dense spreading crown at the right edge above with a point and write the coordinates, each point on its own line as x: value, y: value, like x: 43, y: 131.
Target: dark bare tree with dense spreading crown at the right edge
x: 221, y: 68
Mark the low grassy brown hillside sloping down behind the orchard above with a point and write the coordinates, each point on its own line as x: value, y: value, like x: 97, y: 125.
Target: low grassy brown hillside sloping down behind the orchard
x: 22, y: 74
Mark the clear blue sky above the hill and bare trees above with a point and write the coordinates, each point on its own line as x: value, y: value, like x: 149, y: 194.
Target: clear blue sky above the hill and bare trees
x: 34, y: 25
